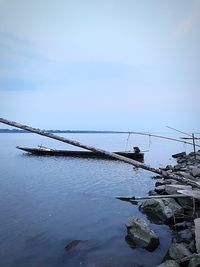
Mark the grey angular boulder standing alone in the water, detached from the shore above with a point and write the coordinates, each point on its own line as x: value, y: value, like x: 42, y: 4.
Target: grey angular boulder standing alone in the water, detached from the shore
x: 140, y: 235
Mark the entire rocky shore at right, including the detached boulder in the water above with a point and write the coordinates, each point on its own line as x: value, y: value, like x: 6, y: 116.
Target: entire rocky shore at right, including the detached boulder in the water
x: 177, y: 204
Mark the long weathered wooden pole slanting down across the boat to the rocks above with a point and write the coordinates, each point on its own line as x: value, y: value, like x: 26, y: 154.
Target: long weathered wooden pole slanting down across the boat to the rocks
x: 101, y: 151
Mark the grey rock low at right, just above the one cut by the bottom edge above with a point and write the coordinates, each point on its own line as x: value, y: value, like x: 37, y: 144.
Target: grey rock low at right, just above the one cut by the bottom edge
x: 178, y: 251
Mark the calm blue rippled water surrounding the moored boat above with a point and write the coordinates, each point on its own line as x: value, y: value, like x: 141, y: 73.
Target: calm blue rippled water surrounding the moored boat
x: 46, y: 202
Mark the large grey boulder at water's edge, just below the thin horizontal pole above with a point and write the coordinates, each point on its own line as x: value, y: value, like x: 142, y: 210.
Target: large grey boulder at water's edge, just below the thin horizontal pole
x: 157, y: 210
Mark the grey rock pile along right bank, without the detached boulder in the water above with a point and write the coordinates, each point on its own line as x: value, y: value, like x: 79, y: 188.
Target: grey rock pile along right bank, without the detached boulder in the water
x: 180, y: 212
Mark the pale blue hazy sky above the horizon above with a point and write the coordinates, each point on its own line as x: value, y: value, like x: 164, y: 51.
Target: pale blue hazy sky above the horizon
x: 100, y: 65
